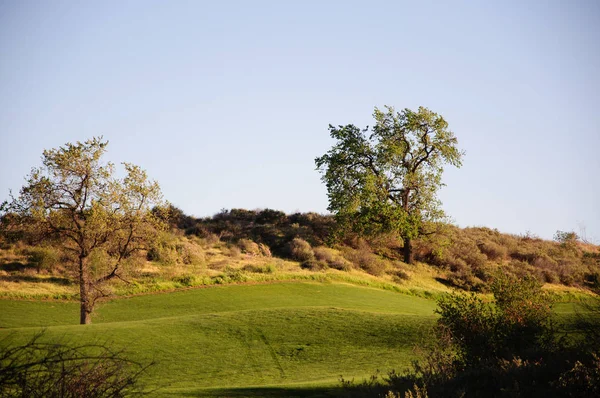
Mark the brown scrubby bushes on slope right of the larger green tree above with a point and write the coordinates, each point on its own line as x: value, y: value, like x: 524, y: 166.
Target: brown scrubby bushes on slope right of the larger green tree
x: 471, y: 255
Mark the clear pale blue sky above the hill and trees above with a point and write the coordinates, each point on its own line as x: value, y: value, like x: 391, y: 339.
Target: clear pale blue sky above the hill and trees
x: 227, y: 103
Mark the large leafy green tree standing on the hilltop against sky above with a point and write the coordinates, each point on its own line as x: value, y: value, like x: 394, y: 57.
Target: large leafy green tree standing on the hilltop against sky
x: 386, y: 179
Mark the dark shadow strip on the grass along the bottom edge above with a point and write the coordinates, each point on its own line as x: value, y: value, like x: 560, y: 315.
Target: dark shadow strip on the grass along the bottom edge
x: 271, y: 392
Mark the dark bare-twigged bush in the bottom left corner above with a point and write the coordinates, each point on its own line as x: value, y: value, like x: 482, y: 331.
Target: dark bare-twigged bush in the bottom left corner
x: 37, y: 369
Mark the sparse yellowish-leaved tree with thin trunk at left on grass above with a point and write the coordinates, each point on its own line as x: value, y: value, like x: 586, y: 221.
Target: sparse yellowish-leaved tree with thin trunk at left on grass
x: 75, y: 202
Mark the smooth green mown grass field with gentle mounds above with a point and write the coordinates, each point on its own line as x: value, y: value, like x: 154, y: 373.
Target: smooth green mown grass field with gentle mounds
x: 282, y: 339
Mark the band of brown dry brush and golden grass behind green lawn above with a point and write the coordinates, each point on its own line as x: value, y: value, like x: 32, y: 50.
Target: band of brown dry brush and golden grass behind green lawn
x: 259, y: 246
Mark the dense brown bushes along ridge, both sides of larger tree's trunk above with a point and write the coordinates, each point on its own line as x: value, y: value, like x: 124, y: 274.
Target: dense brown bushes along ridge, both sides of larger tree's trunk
x: 467, y: 257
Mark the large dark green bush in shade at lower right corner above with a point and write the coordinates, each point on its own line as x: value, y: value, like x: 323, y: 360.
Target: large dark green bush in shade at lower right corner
x: 506, y: 347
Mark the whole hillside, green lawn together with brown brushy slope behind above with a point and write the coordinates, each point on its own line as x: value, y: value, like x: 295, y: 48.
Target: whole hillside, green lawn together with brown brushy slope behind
x: 260, y: 303
